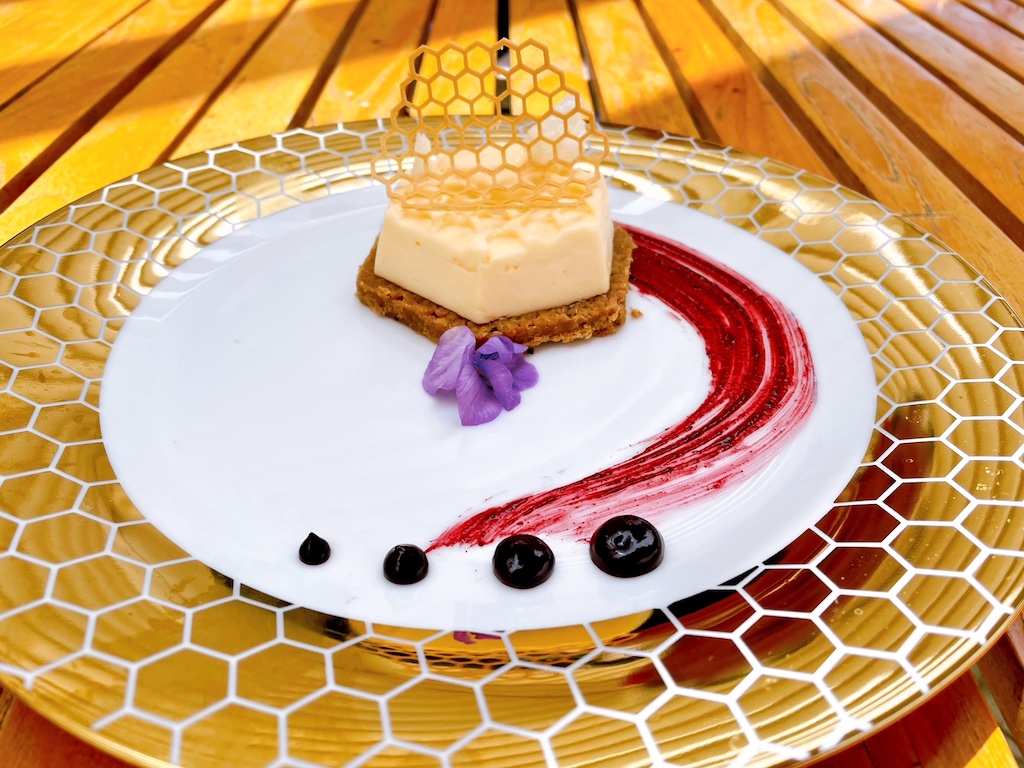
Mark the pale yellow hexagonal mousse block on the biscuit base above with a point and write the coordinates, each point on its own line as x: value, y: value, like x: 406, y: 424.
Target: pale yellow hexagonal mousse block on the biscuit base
x: 500, y: 262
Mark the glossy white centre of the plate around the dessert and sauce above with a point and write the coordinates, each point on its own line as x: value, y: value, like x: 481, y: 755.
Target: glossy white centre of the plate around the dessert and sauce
x: 250, y: 400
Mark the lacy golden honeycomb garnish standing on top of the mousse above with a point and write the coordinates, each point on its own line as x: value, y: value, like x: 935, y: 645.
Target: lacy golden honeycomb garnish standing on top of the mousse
x: 546, y: 156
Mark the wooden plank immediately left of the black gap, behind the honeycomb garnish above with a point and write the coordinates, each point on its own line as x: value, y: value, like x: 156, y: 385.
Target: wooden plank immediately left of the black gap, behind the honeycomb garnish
x: 462, y: 23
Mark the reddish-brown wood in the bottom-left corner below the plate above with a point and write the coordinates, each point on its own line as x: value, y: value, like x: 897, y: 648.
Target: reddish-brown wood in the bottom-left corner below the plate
x: 29, y: 741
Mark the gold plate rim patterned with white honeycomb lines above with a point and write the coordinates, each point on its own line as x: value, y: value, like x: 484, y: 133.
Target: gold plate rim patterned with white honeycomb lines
x: 114, y: 632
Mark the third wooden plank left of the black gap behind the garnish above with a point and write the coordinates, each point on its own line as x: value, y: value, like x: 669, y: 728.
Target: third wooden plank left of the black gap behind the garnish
x: 266, y: 96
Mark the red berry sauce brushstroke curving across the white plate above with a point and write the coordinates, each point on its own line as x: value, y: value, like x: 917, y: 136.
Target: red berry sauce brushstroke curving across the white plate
x: 762, y: 391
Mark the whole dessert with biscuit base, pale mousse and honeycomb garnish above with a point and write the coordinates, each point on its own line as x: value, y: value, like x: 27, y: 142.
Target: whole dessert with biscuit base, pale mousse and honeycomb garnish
x: 498, y: 223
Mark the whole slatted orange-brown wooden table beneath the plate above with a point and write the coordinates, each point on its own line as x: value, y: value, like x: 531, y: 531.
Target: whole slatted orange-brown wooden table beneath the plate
x: 919, y: 104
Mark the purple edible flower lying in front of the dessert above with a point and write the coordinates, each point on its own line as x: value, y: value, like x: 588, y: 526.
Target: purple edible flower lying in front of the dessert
x: 485, y: 380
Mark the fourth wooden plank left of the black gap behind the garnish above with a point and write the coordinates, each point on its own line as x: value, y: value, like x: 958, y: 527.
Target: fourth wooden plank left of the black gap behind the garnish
x: 137, y: 133
